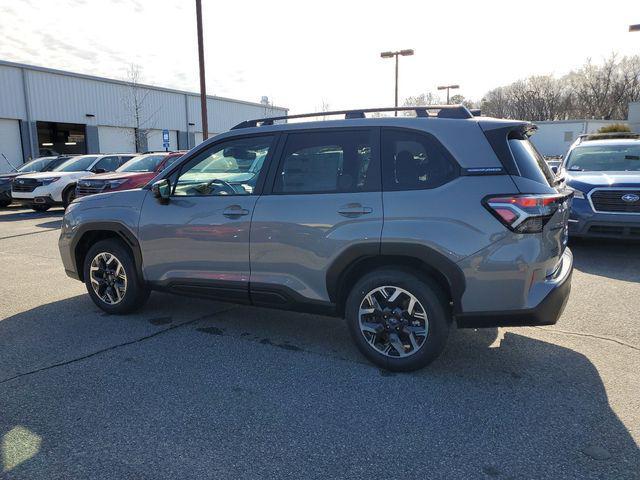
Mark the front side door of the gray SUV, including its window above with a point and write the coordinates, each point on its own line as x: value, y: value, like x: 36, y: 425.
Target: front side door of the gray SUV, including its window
x: 198, y: 241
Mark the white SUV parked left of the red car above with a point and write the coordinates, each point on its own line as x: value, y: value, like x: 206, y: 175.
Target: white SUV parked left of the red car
x: 43, y: 190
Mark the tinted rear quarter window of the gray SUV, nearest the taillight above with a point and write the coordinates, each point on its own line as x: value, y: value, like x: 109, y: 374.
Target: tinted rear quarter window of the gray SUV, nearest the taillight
x: 415, y: 160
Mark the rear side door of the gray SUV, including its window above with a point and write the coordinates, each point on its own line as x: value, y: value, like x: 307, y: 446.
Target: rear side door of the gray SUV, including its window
x: 325, y: 204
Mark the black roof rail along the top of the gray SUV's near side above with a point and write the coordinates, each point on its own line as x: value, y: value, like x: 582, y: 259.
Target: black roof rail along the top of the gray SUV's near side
x: 443, y: 111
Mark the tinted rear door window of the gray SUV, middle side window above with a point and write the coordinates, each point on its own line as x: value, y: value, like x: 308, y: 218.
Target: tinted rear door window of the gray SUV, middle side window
x: 328, y: 162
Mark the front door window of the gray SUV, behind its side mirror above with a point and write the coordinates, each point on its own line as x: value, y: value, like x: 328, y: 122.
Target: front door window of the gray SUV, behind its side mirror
x: 228, y: 168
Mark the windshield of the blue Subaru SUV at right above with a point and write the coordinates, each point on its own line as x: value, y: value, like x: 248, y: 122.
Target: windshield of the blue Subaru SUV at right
x: 605, y: 158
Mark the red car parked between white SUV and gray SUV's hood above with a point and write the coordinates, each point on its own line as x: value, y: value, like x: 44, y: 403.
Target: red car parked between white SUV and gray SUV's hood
x: 136, y: 173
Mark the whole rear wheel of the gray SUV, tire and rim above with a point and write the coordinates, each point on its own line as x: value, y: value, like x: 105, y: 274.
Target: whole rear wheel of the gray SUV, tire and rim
x: 398, y: 320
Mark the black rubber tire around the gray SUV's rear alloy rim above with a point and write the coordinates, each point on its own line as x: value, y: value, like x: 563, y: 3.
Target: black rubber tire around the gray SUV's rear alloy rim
x: 432, y: 300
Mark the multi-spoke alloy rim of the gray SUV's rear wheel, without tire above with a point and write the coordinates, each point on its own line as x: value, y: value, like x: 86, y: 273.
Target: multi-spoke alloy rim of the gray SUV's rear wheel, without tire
x: 393, y: 321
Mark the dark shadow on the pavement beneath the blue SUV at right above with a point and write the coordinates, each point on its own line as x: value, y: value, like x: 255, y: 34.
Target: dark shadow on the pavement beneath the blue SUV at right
x: 618, y: 260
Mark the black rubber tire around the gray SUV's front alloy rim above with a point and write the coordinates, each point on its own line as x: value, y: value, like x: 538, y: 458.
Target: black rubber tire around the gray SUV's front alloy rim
x: 136, y: 292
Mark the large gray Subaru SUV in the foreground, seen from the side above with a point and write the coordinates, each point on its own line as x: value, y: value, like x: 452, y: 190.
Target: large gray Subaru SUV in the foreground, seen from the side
x: 400, y: 225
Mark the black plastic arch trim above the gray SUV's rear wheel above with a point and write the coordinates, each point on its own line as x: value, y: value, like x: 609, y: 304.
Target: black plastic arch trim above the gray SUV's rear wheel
x: 354, y: 254
